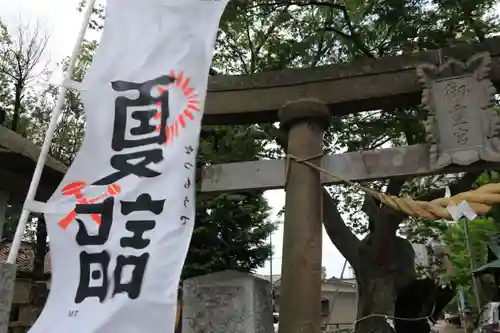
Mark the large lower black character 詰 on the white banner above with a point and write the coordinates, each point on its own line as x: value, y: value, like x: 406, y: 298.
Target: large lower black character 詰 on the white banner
x: 94, y: 266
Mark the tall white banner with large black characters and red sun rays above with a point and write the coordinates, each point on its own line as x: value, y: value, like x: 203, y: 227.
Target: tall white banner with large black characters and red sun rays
x: 120, y: 223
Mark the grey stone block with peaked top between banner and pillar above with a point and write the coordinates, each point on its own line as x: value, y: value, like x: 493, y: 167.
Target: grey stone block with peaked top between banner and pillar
x: 227, y: 302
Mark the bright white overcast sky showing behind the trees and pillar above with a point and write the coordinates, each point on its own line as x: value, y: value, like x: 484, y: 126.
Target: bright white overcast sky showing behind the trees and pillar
x: 62, y: 21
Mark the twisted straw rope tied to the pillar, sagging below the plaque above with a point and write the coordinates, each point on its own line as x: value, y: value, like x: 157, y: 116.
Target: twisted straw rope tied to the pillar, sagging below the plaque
x: 480, y: 199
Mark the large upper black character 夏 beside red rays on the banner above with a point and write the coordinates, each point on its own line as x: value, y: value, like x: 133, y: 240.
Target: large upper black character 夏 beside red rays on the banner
x: 146, y: 108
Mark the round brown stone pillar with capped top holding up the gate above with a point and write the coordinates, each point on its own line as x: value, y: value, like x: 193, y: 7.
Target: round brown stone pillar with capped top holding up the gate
x: 305, y: 120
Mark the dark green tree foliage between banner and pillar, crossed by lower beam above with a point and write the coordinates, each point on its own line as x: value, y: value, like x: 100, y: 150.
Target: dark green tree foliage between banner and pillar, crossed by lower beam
x: 231, y: 230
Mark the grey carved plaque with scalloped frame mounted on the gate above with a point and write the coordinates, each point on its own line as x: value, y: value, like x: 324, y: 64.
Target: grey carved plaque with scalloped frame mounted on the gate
x: 462, y: 126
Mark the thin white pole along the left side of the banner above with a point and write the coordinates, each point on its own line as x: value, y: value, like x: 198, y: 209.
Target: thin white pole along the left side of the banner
x: 16, y: 243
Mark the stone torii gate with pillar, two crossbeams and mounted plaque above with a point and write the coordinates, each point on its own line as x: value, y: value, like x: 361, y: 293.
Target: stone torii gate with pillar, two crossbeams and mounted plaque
x: 463, y: 136
